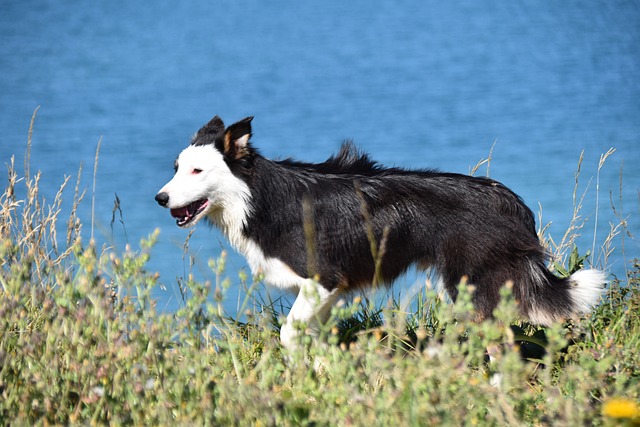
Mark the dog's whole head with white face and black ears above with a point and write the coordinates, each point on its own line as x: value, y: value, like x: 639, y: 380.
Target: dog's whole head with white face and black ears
x: 207, y: 172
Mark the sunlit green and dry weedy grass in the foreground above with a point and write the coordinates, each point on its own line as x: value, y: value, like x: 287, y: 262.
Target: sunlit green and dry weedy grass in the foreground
x: 81, y: 342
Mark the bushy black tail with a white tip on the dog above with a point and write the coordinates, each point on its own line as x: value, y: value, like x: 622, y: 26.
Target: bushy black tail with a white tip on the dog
x: 556, y: 299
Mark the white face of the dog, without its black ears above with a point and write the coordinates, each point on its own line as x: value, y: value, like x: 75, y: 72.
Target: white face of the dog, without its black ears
x: 202, y: 185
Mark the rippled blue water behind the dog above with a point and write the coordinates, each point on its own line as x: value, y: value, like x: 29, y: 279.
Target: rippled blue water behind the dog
x: 416, y: 84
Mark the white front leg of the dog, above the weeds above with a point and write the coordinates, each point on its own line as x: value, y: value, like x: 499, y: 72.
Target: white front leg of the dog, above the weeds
x: 309, y: 311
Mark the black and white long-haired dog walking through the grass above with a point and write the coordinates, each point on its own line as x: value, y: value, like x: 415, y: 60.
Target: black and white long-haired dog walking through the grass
x: 323, y: 229
